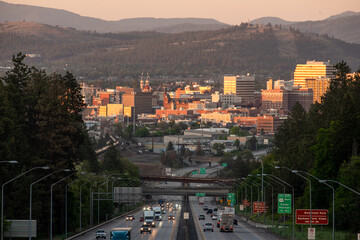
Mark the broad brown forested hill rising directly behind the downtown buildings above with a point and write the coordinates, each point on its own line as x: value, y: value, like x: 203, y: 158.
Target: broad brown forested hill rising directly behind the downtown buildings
x: 268, y: 51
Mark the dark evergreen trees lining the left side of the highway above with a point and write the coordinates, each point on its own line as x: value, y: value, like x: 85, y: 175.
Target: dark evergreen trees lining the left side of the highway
x: 41, y: 125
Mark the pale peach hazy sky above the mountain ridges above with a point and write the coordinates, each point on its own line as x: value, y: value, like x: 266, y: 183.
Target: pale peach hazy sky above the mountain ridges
x: 228, y: 11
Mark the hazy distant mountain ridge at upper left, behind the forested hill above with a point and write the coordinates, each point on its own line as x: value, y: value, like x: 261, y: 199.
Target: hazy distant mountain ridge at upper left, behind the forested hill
x: 17, y: 12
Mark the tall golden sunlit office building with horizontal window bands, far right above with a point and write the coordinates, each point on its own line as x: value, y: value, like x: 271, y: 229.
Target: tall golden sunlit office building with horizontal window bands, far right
x: 311, y: 70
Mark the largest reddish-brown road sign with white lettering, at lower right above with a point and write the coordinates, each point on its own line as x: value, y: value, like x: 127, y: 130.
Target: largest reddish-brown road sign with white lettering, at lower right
x: 319, y: 216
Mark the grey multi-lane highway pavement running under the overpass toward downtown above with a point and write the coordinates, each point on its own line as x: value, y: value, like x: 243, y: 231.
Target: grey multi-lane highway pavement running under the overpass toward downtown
x: 166, y: 229
